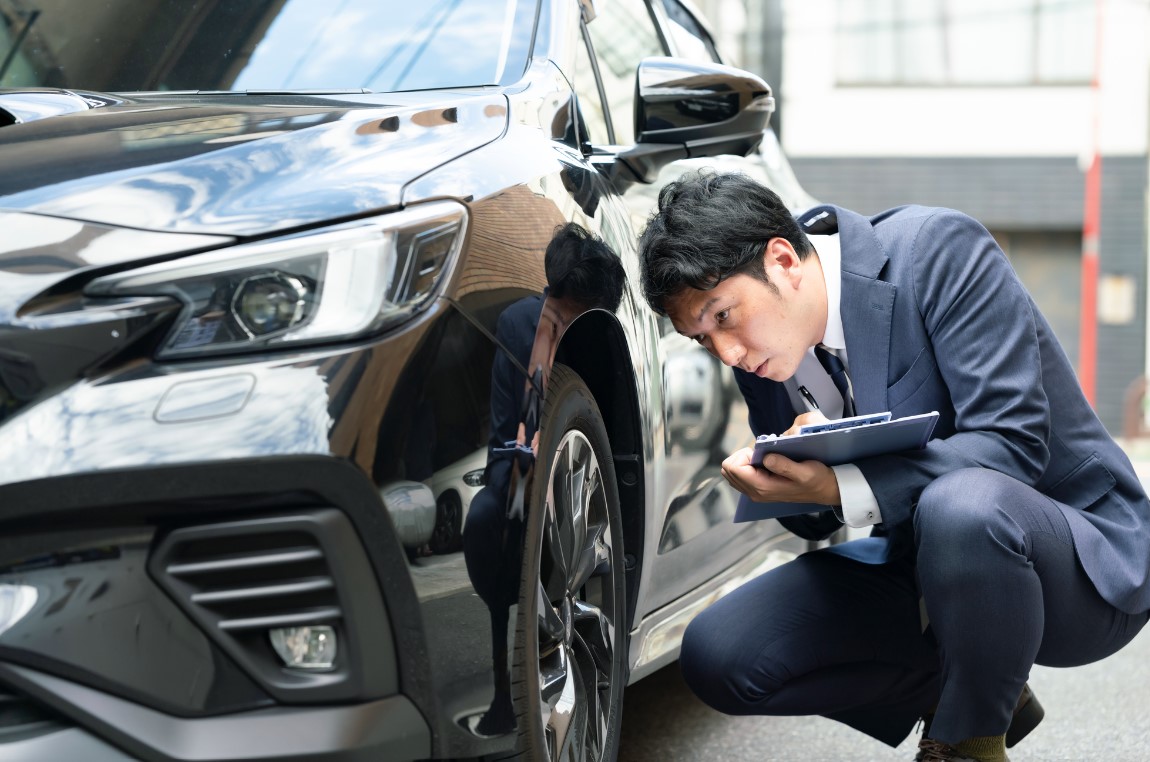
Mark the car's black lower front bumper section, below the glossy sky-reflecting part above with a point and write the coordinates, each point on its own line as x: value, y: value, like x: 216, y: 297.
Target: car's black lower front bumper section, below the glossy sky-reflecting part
x: 106, y: 660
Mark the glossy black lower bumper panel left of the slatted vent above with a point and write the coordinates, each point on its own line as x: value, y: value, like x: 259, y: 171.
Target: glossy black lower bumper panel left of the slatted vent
x: 95, y: 617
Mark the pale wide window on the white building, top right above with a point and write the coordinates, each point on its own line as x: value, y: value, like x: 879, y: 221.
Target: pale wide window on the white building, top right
x: 965, y: 42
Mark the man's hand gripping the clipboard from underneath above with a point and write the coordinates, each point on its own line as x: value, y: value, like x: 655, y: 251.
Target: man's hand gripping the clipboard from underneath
x: 783, y: 480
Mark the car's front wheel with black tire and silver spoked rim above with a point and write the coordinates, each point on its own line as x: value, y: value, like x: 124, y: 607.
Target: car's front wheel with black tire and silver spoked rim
x: 570, y: 664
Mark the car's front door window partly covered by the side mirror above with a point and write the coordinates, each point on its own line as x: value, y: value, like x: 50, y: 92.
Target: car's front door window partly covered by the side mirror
x: 624, y: 35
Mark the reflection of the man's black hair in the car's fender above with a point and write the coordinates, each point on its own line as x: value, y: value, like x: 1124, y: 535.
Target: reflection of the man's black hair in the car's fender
x: 585, y: 270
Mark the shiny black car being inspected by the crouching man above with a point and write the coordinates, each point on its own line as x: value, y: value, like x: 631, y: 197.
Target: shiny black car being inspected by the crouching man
x: 333, y: 425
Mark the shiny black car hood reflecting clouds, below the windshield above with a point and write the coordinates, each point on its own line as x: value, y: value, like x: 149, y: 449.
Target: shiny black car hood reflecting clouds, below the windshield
x: 239, y: 165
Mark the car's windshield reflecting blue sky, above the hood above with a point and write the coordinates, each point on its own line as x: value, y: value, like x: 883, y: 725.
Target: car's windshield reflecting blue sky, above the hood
x: 269, y: 45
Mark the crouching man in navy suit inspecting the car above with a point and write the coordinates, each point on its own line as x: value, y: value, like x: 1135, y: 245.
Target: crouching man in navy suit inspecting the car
x: 1021, y: 535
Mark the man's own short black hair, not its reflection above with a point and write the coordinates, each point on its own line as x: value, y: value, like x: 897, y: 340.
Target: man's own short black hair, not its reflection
x: 710, y: 227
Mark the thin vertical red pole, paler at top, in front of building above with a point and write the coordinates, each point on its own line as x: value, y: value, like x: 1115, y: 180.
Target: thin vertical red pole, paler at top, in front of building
x: 1092, y: 214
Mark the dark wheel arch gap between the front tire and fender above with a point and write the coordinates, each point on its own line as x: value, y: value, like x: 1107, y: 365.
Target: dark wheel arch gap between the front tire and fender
x: 596, y: 349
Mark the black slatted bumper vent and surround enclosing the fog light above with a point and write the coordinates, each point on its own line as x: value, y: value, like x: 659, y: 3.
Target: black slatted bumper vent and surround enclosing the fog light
x: 242, y: 580
